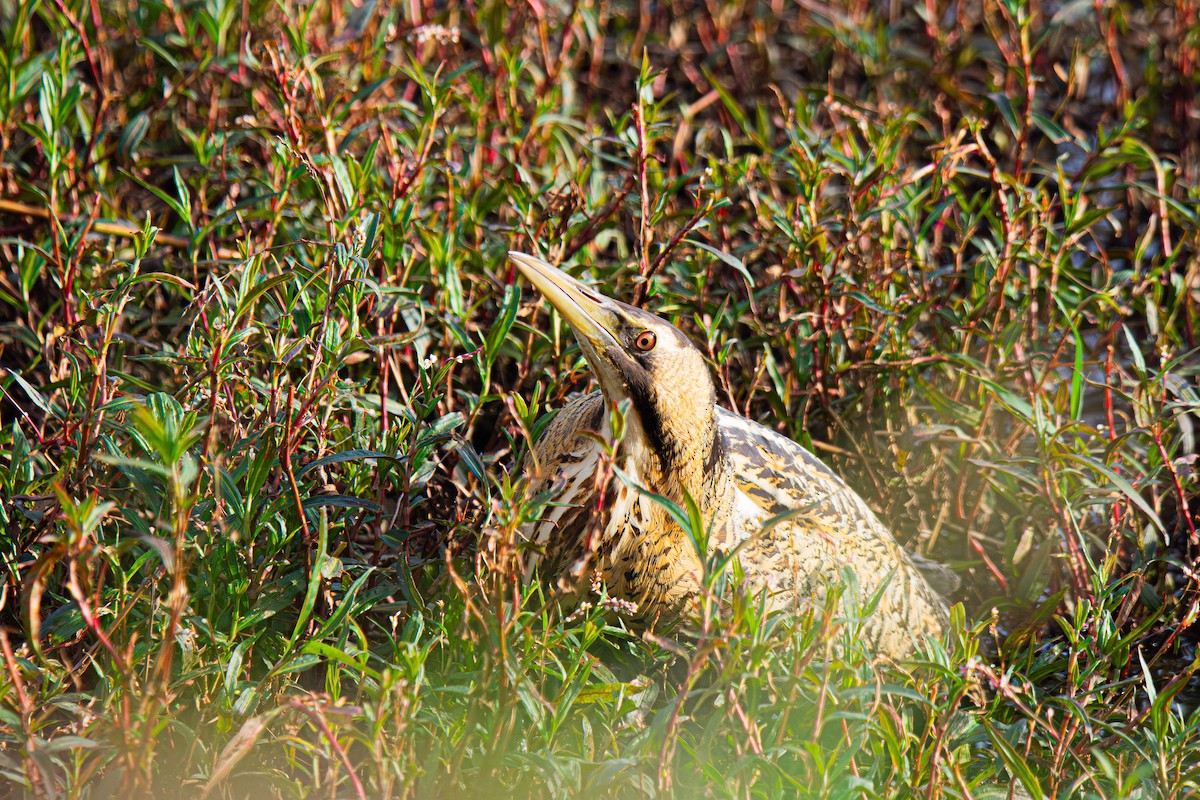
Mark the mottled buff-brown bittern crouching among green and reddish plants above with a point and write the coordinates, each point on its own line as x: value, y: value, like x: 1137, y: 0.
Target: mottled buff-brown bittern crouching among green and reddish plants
x: 795, y: 525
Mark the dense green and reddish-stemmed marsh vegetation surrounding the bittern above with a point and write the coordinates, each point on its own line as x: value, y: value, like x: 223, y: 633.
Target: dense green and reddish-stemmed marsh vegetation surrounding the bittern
x: 268, y: 381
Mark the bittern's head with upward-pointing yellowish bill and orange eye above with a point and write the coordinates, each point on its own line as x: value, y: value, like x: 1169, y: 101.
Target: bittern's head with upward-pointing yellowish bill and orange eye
x: 640, y: 358
